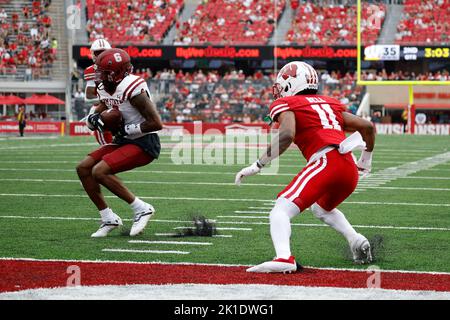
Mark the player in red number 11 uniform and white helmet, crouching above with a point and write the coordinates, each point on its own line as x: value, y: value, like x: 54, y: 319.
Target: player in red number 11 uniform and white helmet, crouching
x: 316, y: 124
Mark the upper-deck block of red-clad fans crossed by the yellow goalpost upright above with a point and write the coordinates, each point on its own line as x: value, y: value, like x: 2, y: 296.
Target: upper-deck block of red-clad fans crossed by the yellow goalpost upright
x: 334, y: 24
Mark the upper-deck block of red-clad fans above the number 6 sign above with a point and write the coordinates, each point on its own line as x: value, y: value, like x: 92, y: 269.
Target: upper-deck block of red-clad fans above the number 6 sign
x: 230, y: 22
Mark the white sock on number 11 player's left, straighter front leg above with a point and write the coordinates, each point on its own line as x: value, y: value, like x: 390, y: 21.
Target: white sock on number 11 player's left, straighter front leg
x: 280, y: 226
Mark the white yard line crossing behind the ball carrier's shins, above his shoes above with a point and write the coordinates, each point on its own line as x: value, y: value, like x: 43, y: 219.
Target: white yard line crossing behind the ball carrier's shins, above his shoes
x: 216, y: 199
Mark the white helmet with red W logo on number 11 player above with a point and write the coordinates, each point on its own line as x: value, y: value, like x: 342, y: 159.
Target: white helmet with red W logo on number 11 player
x: 295, y: 77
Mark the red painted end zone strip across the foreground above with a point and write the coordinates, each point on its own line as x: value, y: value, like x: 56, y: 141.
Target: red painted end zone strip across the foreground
x: 21, y: 274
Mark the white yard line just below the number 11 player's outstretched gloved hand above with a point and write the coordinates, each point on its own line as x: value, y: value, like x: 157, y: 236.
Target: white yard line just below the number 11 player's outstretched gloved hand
x: 365, y: 185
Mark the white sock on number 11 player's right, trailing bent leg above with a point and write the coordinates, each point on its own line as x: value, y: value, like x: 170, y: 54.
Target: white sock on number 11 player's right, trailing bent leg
x: 335, y: 219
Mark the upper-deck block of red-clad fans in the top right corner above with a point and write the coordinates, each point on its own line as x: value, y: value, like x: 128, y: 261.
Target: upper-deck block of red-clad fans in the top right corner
x: 424, y: 22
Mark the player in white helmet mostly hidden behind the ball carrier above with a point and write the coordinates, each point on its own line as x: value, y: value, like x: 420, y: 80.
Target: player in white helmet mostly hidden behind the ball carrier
x: 90, y: 96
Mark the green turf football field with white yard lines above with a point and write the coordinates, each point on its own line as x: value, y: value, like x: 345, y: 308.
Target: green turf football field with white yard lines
x: 44, y: 212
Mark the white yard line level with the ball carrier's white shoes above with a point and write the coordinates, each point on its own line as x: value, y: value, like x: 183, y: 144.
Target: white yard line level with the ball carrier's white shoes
x: 232, y: 222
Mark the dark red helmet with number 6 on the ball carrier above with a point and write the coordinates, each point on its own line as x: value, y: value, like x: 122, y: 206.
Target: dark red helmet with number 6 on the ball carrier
x: 111, y: 67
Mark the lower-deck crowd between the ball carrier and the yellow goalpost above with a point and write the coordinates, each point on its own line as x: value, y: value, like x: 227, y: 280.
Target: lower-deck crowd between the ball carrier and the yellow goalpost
x: 234, y: 96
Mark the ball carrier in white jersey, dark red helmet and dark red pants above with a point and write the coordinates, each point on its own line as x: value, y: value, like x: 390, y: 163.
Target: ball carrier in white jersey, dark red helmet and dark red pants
x: 135, y: 144
